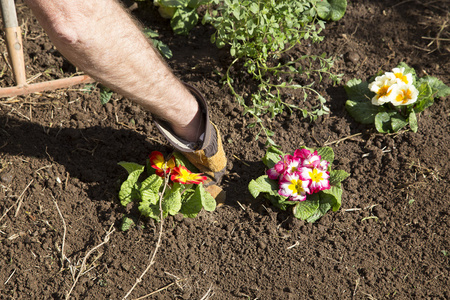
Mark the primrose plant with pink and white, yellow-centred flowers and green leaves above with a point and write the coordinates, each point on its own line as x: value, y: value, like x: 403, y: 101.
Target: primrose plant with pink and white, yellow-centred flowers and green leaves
x: 303, y: 182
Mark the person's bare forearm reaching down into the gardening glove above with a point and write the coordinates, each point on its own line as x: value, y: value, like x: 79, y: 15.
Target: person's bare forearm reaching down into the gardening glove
x: 100, y: 38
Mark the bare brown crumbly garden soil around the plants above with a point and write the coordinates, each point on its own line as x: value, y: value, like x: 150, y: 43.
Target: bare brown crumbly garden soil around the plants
x: 389, y: 240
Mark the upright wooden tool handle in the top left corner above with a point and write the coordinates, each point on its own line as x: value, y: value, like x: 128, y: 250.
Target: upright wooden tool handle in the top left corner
x: 14, y: 41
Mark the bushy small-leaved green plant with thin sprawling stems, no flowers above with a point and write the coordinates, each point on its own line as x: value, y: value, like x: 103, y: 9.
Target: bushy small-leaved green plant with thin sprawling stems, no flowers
x: 260, y: 34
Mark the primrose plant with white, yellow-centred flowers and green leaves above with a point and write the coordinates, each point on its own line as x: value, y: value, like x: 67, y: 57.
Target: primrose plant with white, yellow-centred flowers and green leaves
x: 392, y: 100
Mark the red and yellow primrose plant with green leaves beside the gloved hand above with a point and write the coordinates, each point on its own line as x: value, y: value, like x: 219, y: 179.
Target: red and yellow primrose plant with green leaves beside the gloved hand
x: 183, y: 190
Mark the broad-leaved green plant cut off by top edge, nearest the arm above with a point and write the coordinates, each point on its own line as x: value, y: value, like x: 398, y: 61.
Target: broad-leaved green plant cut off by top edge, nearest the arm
x: 183, y: 13
